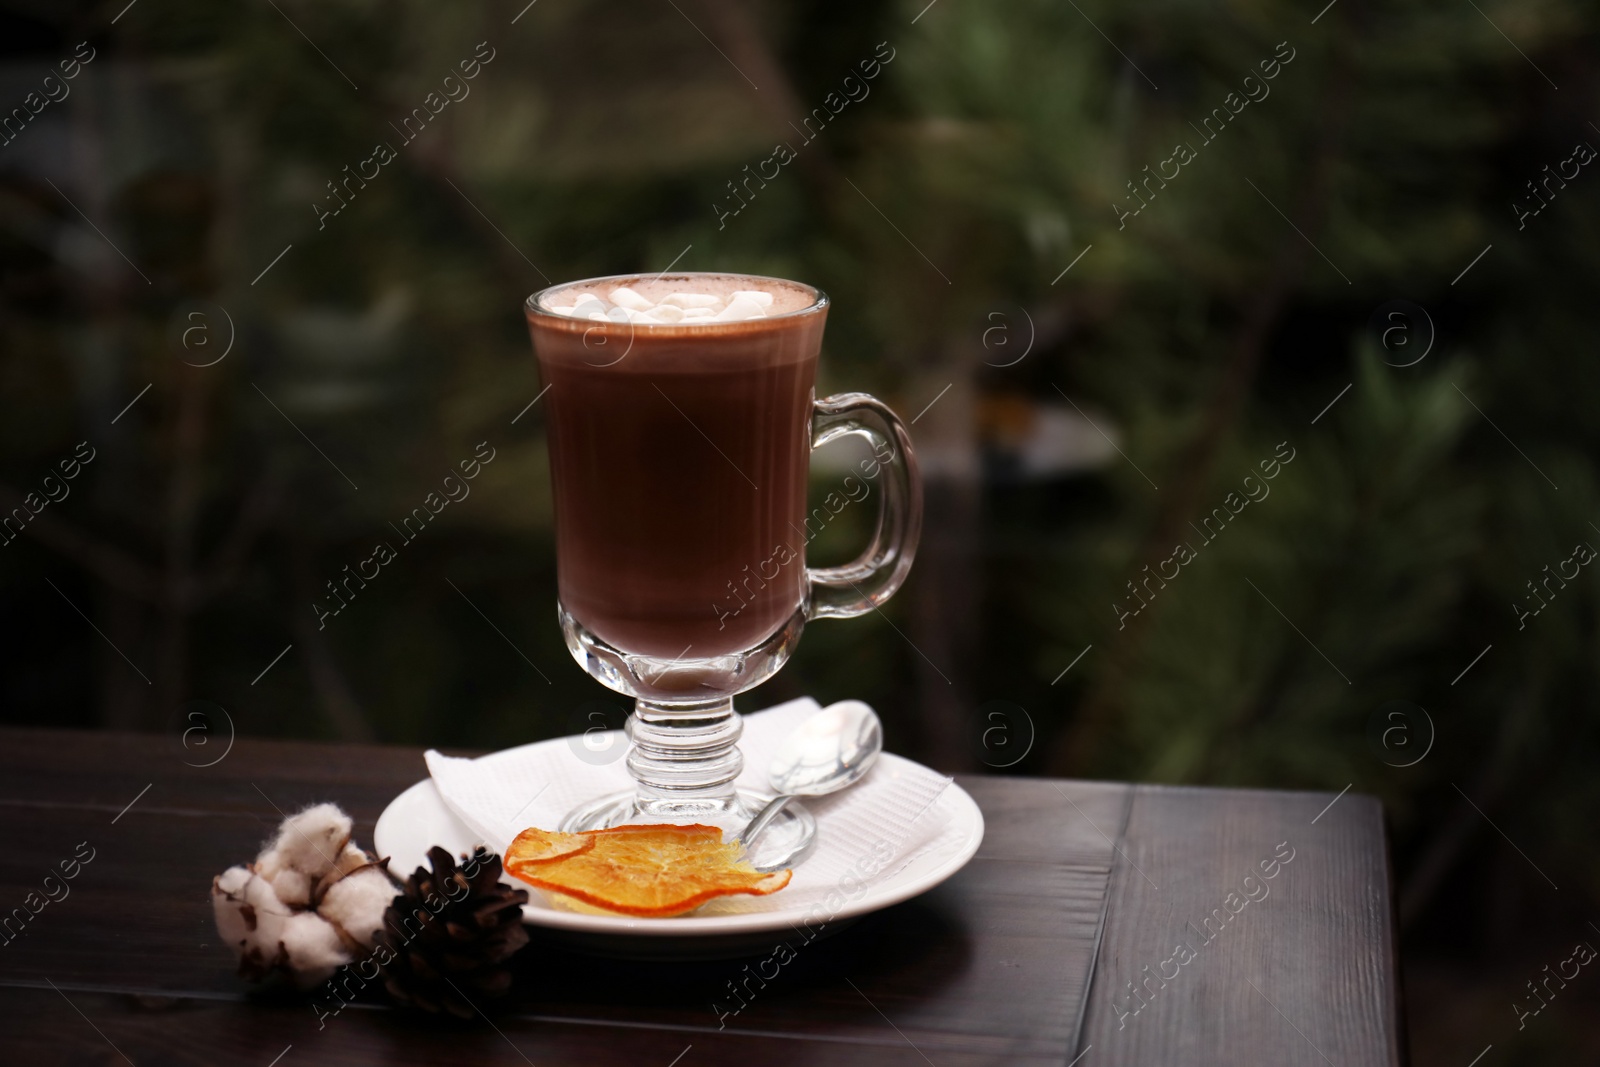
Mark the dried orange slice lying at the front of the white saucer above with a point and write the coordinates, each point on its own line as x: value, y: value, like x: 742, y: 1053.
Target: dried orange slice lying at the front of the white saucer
x: 654, y: 871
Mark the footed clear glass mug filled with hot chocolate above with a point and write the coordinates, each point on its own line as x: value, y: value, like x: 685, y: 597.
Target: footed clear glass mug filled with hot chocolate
x: 679, y: 458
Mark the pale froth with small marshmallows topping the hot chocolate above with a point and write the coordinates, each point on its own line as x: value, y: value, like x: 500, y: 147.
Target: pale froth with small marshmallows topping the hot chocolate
x: 679, y: 300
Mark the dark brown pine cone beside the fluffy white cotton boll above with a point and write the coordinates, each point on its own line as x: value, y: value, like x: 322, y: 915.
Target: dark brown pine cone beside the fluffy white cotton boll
x: 450, y: 935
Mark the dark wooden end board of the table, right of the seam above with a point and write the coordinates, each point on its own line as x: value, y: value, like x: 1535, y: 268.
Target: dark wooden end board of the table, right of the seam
x: 1303, y: 972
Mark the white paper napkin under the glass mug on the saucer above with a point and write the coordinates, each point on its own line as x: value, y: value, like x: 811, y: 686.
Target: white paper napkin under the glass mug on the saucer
x: 865, y: 833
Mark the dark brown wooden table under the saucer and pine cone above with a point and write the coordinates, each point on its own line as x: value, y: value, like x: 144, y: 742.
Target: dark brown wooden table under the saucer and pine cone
x: 1030, y: 956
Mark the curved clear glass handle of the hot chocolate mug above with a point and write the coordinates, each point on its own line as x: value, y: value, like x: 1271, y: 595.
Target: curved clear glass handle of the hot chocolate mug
x: 839, y: 593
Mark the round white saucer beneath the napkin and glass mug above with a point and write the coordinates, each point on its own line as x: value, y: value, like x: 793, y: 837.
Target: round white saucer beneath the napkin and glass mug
x: 418, y: 820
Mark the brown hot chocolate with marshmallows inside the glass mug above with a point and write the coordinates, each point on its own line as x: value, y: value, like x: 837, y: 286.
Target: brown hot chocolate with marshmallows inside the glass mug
x: 679, y: 454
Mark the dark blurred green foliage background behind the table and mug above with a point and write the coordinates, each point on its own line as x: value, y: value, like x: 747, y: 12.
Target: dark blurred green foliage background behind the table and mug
x: 265, y: 388
